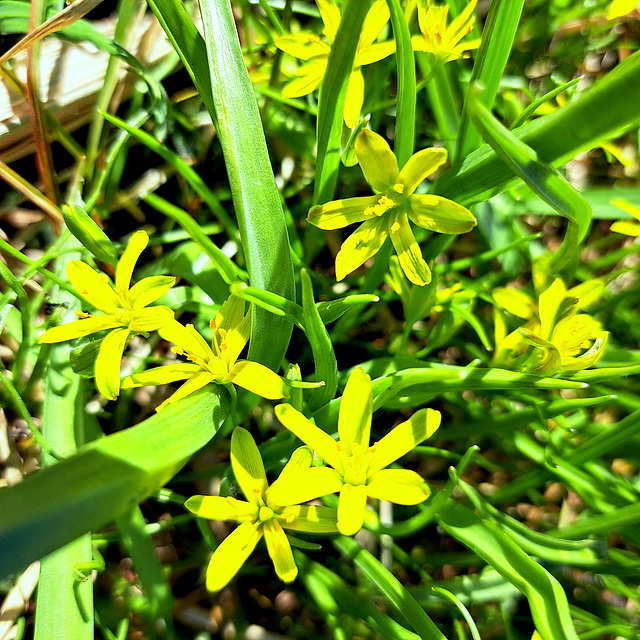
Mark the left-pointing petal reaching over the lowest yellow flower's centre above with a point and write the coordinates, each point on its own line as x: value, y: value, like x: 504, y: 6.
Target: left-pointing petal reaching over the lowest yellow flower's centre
x: 302, y: 485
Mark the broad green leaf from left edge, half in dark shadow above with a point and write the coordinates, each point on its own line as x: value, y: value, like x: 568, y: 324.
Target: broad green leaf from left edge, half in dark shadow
x: 103, y: 479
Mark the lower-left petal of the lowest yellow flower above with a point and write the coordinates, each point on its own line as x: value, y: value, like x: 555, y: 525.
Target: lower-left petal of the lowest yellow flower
x: 232, y: 554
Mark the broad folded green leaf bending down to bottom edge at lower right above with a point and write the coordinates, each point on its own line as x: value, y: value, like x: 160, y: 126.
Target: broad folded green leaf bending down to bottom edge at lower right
x: 547, y: 600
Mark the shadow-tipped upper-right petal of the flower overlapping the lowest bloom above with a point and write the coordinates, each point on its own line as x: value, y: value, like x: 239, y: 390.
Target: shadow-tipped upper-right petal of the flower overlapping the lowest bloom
x: 403, y: 438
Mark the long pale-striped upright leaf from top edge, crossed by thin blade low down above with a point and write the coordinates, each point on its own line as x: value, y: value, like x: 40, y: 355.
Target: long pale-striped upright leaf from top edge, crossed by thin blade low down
x: 255, y: 195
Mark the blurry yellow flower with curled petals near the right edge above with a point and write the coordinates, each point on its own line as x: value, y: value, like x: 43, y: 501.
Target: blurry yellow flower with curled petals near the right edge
x: 563, y: 339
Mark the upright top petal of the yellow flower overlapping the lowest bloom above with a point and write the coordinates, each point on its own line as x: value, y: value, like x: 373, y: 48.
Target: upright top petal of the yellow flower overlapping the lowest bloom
x: 356, y: 406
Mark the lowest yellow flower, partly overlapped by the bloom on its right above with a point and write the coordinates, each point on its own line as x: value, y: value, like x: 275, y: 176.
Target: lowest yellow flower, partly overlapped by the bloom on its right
x: 259, y: 515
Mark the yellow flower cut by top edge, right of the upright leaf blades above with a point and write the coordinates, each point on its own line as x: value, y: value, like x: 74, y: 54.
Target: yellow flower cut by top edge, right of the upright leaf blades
x: 443, y: 42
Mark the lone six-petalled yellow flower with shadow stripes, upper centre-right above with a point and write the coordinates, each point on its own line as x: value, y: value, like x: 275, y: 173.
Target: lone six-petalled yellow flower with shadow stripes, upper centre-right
x: 389, y: 212
